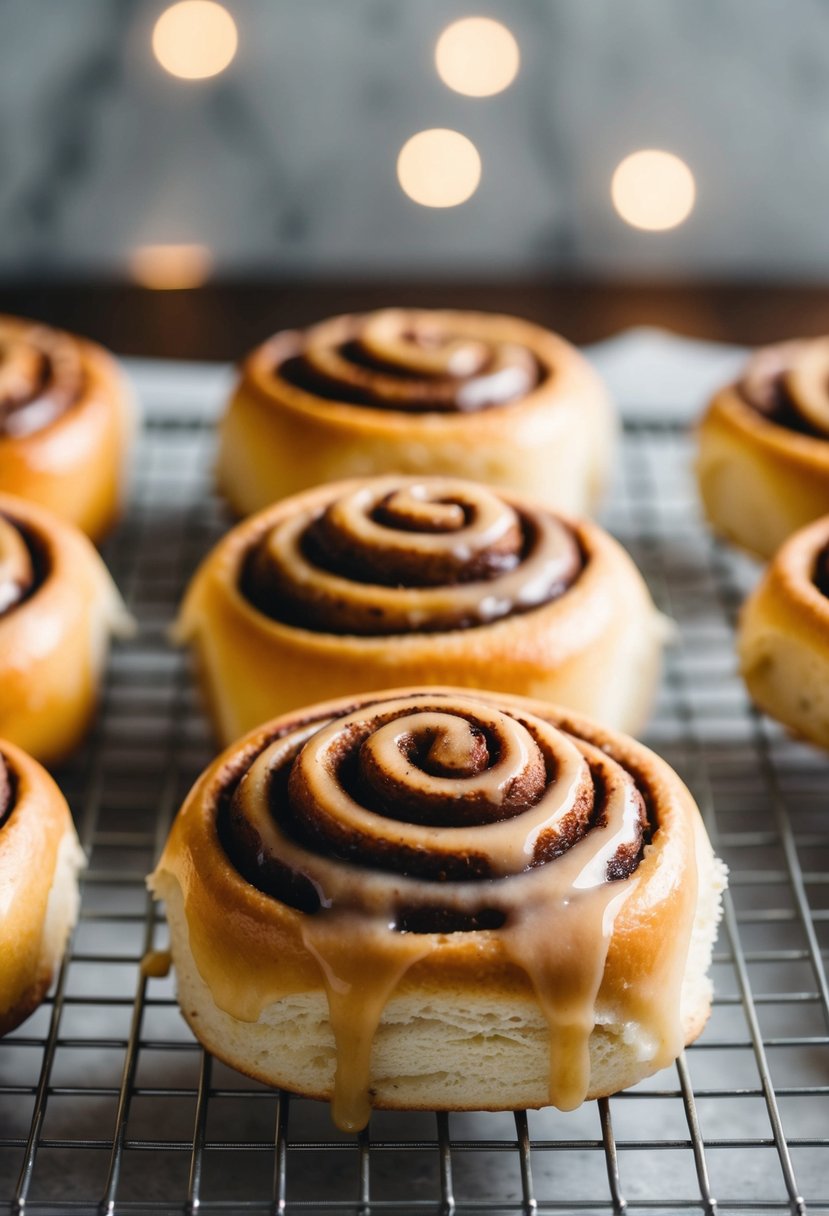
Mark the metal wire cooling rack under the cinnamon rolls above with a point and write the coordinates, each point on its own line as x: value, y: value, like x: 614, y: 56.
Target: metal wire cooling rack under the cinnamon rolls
x: 108, y: 1105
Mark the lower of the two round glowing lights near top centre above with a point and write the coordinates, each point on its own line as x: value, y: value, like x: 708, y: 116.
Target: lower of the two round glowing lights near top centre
x: 439, y: 168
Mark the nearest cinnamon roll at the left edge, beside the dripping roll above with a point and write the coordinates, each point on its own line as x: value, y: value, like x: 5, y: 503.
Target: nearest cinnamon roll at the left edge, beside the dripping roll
x: 40, y: 864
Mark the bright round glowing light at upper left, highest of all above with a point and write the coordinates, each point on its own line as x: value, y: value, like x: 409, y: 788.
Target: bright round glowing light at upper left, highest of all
x: 195, y: 40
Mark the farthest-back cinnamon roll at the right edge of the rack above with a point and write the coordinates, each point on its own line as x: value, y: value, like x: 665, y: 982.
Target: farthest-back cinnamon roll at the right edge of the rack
x: 764, y: 447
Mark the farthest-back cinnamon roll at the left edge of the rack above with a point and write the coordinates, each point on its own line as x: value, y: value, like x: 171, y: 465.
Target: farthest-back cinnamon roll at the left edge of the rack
x: 66, y: 420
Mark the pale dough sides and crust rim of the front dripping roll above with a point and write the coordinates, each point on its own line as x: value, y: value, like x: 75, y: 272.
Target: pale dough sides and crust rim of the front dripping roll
x: 464, y: 1028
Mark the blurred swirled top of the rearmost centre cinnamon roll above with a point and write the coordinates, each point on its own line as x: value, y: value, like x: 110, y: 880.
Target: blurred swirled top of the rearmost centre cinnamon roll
x: 381, y: 369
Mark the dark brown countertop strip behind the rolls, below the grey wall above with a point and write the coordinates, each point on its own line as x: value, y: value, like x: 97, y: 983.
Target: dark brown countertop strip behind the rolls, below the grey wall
x: 223, y: 320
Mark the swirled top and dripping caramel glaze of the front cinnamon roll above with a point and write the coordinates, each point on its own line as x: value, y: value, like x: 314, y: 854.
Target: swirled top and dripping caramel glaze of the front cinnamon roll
x: 548, y: 838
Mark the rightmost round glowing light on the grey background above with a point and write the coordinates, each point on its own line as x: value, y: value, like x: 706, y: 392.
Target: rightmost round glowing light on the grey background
x: 653, y: 190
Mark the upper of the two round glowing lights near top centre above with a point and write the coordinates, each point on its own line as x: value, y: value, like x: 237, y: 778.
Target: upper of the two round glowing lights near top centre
x: 477, y: 57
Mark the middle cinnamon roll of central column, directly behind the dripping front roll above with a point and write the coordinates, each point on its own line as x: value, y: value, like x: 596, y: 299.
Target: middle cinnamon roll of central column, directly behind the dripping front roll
x: 364, y: 584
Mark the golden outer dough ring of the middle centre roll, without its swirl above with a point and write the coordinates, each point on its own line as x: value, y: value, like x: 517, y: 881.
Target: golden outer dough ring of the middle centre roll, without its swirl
x: 596, y: 649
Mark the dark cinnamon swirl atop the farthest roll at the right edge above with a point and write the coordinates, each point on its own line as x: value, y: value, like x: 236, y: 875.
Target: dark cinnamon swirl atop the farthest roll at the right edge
x: 789, y: 384
